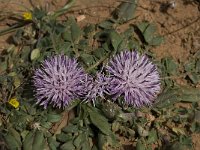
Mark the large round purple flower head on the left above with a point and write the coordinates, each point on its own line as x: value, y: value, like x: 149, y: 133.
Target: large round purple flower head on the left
x: 58, y: 81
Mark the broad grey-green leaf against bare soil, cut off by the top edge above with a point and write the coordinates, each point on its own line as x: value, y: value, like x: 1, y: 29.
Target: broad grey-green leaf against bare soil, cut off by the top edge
x: 126, y: 11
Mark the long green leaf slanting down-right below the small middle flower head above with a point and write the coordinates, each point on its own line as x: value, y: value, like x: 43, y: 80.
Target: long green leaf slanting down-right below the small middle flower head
x: 99, y: 120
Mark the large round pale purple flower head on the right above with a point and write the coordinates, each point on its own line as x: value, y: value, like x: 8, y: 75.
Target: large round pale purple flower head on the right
x: 133, y: 76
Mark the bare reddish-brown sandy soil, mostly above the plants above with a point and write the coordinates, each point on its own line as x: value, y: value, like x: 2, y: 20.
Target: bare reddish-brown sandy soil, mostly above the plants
x: 177, y: 20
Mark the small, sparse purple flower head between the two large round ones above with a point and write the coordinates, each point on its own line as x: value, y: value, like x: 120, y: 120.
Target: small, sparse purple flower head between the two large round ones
x: 95, y: 87
